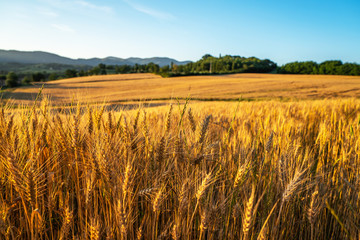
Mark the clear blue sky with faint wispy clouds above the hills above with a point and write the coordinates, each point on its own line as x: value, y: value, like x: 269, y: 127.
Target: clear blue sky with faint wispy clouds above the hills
x: 281, y: 30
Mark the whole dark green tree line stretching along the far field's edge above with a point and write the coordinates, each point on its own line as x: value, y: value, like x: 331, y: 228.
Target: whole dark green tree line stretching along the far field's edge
x: 208, y: 64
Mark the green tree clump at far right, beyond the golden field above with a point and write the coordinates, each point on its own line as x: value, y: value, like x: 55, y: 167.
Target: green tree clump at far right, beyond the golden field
x: 327, y: 68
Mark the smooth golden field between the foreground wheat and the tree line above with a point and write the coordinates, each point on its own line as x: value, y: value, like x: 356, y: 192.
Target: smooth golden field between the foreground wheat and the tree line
x: 127, y: 87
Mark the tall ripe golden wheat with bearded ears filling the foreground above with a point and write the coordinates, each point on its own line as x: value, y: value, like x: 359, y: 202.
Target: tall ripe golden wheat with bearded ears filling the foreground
x: 247, y: 170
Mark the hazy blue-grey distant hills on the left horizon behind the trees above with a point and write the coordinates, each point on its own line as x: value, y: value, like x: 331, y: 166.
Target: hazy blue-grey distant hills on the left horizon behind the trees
x: 38, y: 57
